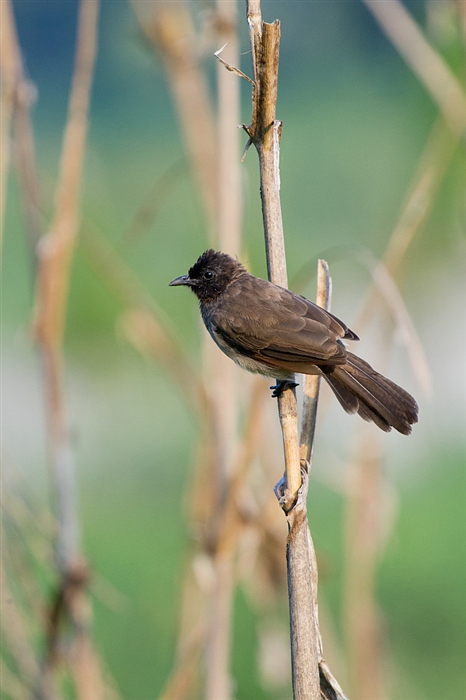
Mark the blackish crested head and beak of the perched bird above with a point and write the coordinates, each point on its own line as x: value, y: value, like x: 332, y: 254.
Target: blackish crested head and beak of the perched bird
x: 210, y: 275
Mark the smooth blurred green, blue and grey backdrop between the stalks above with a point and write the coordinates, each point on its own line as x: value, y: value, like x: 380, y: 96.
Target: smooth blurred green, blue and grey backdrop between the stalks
x: 356, y: 121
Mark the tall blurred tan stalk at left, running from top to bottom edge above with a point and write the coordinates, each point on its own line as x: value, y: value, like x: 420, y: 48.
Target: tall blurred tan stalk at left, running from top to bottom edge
x: 54, y: 262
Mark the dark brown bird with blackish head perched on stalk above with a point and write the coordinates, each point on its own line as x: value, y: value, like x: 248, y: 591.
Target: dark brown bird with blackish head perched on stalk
x: 270, y: 330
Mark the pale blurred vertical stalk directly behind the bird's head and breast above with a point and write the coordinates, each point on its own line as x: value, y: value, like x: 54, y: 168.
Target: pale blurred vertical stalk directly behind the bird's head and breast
x: 224, y: 373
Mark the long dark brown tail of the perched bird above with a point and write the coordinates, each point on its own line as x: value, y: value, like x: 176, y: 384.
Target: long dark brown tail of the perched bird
x: 360, y: 389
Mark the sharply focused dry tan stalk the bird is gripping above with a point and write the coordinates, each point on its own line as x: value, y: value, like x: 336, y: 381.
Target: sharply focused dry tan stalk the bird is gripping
x: 264, y: 133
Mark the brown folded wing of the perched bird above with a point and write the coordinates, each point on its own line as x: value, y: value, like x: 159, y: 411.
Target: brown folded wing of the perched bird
x: 278, y: 328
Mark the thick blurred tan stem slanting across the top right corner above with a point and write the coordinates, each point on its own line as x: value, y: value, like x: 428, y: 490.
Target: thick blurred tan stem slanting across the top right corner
x: 424, y: 61
